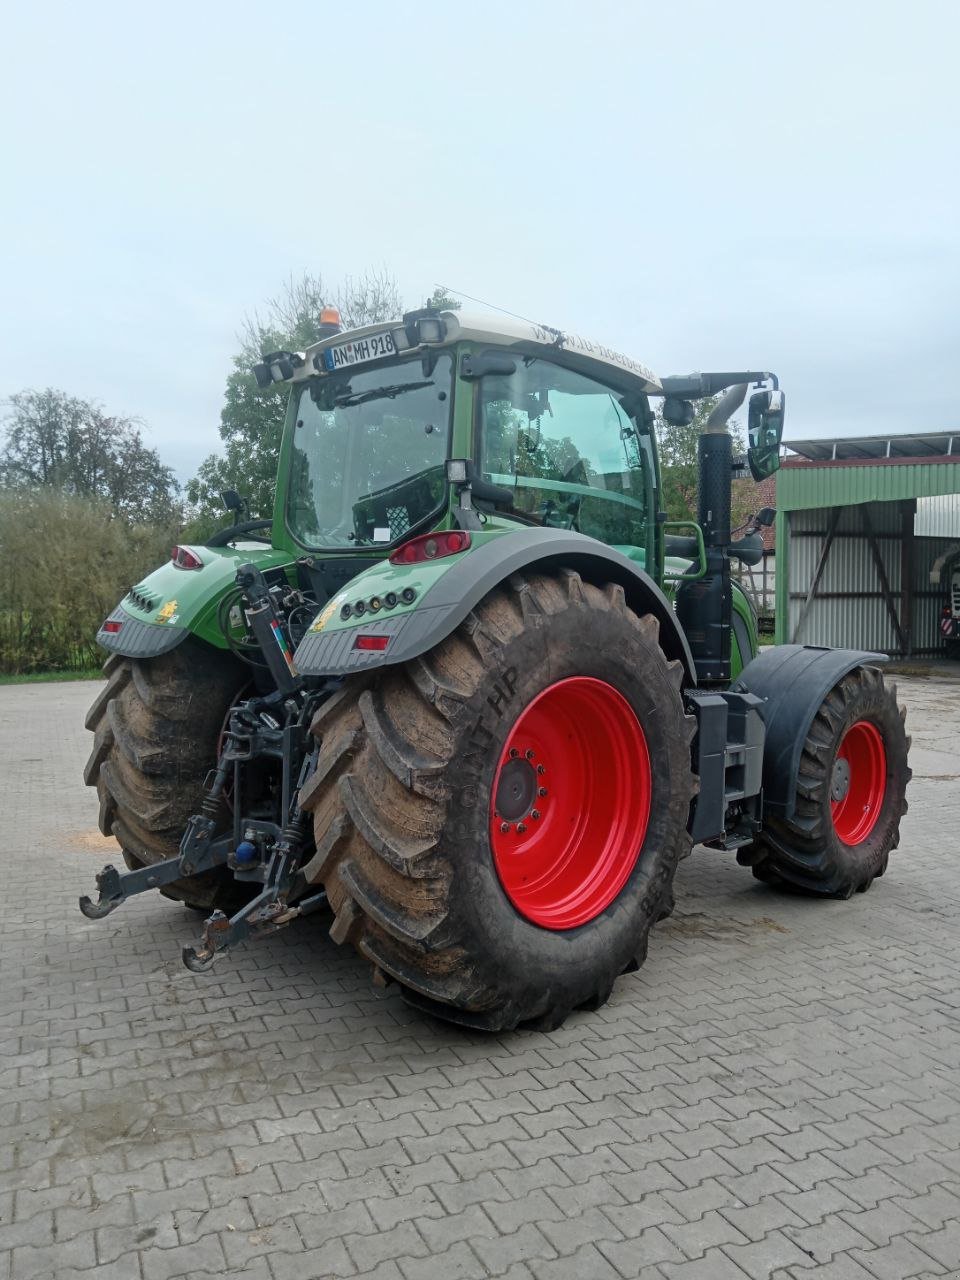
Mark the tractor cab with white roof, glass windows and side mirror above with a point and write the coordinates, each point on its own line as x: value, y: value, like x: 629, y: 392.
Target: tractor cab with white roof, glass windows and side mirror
x: 450, y: 420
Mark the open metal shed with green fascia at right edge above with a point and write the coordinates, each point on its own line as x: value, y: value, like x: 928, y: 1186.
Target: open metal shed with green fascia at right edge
x: 866, y: 528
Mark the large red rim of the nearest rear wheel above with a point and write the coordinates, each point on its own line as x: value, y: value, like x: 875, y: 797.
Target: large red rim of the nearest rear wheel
x: 570, y: 803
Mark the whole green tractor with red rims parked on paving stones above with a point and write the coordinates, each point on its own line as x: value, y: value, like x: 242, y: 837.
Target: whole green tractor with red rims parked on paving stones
x: 469, y: 692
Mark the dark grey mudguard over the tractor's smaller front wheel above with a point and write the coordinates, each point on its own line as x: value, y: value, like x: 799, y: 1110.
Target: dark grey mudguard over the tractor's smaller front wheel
x: 793, y: 680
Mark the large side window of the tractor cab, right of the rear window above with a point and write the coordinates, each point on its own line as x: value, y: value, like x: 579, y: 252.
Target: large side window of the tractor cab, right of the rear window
x: 569, y: 450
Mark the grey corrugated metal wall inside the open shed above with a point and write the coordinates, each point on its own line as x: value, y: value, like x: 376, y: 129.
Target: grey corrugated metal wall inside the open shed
x: 849, y: 609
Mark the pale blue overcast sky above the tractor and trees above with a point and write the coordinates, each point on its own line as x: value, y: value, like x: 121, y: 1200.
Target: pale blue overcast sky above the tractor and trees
x: 700, y: 186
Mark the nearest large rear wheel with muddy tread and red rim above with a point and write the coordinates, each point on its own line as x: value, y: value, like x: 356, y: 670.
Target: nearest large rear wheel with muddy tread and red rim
x: 548, y: 732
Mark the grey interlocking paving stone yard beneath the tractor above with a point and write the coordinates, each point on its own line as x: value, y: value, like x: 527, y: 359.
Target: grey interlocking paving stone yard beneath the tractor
x: 776, y: 1094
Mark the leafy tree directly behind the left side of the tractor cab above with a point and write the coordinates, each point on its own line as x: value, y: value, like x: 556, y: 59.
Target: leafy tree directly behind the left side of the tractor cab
x: 252, y: 422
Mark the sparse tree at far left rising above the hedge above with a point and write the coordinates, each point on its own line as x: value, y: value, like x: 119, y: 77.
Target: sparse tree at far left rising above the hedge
x: 54, y: 441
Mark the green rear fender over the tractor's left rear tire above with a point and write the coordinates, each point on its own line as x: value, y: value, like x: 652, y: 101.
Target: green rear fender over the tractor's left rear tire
x: 172, y: 604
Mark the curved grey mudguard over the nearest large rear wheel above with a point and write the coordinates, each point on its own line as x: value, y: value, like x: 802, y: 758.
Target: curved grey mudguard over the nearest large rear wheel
x: 330, y: 648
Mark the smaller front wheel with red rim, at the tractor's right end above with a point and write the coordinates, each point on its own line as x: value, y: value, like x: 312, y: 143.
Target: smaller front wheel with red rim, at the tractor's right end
x: 851, y: 794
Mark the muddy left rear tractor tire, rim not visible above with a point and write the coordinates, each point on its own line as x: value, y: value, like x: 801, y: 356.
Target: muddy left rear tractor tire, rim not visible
x: 157, y: 725
